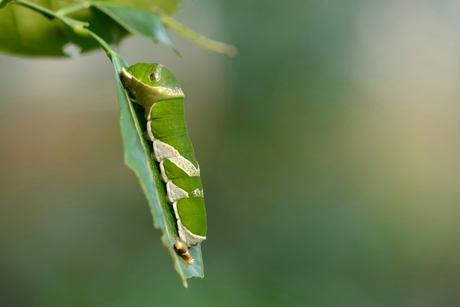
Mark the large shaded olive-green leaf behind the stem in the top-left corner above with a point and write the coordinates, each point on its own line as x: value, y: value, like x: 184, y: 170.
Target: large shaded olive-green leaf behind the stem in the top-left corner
x: 25, y: 32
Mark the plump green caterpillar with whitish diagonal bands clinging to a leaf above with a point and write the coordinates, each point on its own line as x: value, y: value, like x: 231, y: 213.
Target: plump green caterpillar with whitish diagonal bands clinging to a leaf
x: 156, y: 89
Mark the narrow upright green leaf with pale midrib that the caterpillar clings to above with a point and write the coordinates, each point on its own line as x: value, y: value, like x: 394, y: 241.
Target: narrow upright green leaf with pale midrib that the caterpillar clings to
x: 137, y: 157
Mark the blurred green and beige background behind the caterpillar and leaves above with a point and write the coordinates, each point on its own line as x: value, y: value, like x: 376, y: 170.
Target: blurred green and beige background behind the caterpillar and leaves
x: 329, y: 150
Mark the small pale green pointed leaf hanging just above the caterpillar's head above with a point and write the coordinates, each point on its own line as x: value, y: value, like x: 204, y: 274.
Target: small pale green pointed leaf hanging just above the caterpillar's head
x: 137, y: 21
